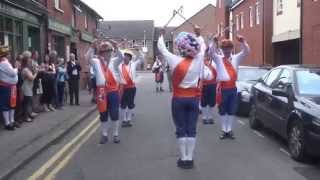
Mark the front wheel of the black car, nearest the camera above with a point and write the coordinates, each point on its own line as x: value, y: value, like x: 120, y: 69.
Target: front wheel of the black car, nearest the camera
x: 296, y: 141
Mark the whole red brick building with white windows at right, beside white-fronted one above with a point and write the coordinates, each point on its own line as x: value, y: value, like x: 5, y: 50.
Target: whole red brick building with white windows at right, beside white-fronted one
x: 253, y: 20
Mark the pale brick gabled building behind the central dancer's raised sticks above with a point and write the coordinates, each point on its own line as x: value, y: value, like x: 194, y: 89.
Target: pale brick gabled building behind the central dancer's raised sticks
x: 204, y: 18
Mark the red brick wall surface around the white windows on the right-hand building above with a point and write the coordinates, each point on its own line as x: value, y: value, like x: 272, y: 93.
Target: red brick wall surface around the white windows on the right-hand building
x: 258, y: 36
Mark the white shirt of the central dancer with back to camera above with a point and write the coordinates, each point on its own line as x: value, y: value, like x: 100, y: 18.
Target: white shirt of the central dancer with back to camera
x: 194, y: 73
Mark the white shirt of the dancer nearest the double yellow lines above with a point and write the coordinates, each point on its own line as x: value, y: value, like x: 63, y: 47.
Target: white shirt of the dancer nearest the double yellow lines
x: 98, y: 71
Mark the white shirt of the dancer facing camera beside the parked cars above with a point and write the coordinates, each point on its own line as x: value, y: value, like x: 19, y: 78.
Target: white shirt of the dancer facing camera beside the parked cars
x: 236, y: 59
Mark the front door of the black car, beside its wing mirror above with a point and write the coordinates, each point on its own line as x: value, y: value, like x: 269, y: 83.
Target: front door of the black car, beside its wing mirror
x: 279, y: 106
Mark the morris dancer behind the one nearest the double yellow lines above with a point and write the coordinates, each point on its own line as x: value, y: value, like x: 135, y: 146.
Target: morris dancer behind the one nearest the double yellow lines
x: 128, y: 77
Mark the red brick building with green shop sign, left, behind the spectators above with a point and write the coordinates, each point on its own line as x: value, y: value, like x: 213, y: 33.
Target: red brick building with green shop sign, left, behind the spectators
x: 71, y: 28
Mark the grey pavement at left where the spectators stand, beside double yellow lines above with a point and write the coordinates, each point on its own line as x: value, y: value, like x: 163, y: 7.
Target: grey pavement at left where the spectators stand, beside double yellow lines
x: 20, y: 146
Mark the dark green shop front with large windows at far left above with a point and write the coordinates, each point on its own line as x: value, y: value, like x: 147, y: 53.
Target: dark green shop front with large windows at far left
x: 20, y: 30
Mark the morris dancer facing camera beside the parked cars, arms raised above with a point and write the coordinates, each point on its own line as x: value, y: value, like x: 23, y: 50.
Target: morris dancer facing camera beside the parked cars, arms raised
x: 227, y: 68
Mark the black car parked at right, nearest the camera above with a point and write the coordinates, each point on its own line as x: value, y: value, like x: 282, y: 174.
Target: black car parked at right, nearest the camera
x: 287, y: 100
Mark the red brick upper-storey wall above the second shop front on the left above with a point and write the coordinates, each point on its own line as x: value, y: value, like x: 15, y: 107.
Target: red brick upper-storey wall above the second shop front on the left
x: 66, y: 6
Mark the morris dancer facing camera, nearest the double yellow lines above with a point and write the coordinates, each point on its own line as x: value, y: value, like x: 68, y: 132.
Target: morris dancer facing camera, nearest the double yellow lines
x: 106, y: 73
